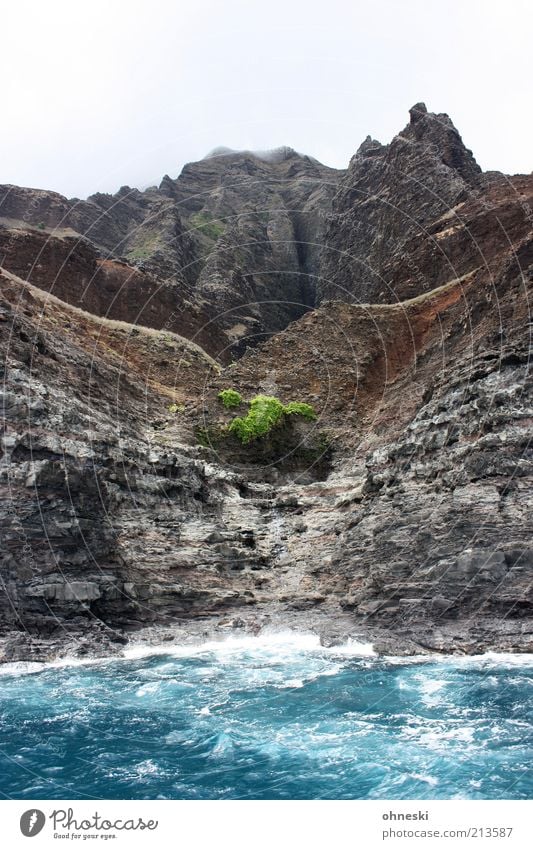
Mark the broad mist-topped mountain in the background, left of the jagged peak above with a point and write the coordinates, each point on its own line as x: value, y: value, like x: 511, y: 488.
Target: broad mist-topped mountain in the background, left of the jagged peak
x: 234, y: 242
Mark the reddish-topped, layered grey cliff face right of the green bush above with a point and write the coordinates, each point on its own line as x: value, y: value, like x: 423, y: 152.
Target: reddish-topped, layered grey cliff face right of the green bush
x: 422, y: 524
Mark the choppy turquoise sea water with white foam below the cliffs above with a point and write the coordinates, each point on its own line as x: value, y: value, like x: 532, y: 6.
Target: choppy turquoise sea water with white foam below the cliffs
x: 276, y: 717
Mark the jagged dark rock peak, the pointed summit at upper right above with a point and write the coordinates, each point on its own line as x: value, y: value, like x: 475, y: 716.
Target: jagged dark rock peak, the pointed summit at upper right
x: 389, y: 197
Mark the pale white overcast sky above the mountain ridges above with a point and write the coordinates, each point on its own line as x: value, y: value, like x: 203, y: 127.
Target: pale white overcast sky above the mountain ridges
x: 101, y: 93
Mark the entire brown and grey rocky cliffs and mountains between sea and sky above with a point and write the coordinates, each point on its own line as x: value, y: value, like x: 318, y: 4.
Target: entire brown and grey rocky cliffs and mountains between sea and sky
x: 403, y: 510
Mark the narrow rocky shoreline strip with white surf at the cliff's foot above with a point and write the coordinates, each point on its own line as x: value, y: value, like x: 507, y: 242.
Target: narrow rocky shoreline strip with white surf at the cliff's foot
x: 97, y: 643
